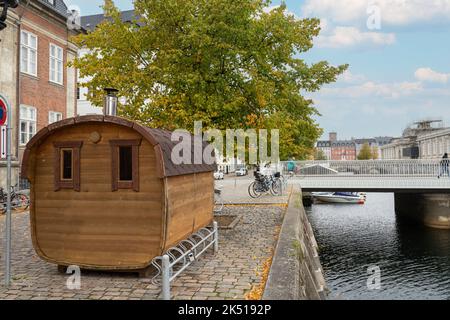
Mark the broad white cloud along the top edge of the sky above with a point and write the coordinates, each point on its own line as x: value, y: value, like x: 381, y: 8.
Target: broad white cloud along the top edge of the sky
x: 395, y: 13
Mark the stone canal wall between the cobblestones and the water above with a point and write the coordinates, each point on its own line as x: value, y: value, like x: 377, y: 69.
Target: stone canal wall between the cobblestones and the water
x: 296, y: 273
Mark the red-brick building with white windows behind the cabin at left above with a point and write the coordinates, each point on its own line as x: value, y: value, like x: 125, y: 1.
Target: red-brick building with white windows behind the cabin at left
x: 34, y: 51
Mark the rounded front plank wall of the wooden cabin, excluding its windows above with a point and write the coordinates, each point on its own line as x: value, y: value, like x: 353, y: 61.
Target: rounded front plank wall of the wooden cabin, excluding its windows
x: 97, y: 228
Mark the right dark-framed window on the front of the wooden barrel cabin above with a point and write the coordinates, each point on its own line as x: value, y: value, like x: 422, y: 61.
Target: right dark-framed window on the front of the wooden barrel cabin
x: 125, y: 164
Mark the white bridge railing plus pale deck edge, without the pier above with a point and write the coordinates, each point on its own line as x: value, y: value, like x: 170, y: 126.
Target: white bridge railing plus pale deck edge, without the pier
x: 371, y: 174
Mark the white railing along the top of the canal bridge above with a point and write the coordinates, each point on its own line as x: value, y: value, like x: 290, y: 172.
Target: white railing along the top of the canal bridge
x: 367, y: 168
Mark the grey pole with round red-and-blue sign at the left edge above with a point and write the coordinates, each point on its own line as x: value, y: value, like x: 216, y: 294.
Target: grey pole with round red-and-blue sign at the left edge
x: 5, y: 113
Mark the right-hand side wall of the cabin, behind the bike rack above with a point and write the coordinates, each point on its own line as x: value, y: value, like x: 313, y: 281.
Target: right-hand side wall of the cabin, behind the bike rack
x: 190, y: 202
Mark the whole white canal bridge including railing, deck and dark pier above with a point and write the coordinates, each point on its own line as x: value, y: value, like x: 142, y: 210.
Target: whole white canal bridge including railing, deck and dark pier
x: 419, y: 193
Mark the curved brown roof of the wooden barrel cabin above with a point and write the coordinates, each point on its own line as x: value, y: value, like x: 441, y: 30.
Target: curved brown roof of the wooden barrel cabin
x: 160, y: 139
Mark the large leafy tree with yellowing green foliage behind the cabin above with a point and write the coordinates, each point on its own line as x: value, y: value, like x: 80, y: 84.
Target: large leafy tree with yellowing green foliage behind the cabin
x: 230, y: 64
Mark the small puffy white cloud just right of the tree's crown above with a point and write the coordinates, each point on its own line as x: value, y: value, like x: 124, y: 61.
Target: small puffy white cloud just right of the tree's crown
x: 342, y: 37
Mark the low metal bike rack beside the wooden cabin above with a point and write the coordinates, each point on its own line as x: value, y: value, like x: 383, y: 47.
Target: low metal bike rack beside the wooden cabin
x: 177, y: 259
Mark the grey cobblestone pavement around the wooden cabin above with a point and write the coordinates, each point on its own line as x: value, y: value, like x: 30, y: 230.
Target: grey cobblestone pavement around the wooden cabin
x: 228, y: 275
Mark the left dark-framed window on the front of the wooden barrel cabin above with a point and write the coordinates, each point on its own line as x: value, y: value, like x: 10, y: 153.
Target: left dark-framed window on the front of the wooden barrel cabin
x: 67, y: 165
